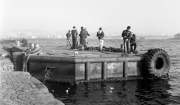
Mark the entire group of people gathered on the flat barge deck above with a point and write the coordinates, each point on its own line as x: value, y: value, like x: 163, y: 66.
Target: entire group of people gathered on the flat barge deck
x: 129, y: 39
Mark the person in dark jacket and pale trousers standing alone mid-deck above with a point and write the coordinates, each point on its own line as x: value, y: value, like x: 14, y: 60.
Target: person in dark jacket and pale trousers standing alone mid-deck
x: 100, y: 35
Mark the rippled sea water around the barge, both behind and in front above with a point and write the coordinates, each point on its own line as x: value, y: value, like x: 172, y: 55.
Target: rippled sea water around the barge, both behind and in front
x: 138, y: 92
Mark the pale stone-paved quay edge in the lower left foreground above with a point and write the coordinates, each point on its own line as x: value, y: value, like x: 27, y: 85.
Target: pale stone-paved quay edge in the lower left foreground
x: 20, y: 88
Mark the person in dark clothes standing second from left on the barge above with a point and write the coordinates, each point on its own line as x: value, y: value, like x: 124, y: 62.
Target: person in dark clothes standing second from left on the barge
x: 74, y: 37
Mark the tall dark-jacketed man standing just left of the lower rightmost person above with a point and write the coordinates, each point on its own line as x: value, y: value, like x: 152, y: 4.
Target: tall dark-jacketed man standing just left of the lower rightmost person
x: 126, y: 35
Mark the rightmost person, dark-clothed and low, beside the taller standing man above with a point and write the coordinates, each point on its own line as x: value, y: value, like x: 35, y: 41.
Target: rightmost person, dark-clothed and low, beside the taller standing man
x: 133, y: 44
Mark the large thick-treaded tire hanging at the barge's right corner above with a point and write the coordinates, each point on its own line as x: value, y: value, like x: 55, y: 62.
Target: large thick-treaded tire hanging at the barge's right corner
x: 157, y: 63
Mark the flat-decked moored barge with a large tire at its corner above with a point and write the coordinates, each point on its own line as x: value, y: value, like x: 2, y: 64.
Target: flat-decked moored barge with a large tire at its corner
x: 62, y: 64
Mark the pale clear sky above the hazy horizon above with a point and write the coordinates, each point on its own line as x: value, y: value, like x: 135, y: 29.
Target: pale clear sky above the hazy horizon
x: 152, y: 17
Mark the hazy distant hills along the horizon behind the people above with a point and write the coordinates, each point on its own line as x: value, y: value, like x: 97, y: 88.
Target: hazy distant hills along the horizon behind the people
x: 42, y: 34
